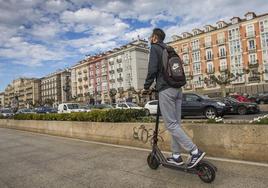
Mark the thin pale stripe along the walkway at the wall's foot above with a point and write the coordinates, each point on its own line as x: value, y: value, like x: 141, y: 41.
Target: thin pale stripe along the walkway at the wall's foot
x: 143, y: 149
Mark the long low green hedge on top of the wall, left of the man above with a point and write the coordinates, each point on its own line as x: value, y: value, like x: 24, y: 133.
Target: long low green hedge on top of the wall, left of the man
x: 113, y: 115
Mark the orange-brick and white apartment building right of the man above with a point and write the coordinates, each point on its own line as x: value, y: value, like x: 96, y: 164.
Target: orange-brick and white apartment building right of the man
x: 239, y: 46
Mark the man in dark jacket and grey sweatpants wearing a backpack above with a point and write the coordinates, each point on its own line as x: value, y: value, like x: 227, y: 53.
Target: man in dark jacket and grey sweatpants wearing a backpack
x: 166, y: 67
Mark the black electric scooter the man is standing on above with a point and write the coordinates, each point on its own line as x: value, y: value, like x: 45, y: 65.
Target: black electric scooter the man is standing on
x: 204, y: 169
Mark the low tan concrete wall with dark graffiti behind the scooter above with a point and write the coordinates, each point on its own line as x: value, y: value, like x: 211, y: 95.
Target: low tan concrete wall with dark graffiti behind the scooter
x: 234, y: 141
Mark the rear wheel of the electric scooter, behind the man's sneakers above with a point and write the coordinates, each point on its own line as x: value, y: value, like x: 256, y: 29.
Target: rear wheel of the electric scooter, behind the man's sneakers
x: 206, y: 172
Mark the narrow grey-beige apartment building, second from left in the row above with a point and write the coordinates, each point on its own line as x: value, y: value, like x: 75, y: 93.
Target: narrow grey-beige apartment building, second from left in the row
x: 55, y: 88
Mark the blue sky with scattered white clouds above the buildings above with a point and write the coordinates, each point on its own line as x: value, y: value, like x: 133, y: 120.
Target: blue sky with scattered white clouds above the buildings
x: 38, y: 37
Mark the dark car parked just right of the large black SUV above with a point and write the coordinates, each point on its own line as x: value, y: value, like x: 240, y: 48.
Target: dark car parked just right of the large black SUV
x: 240, y: 108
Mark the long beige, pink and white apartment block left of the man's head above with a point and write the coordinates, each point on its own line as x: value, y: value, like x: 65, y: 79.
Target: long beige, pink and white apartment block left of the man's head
x: 119, y: 69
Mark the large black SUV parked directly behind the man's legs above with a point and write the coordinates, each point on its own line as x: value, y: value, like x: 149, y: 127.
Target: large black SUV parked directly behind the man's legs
x: 196, y: 105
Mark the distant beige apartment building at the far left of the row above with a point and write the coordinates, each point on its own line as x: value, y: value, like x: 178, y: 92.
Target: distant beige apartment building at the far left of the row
x: 25, y: 92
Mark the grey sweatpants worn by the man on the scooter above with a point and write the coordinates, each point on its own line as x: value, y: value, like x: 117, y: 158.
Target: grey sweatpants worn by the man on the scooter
x: 170, y: 105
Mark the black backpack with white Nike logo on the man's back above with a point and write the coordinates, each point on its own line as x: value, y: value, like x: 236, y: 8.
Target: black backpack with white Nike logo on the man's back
x: 172, y: 67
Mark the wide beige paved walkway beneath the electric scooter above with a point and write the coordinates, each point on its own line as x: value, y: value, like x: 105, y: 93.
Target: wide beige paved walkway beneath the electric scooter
x: 32, y: 160
